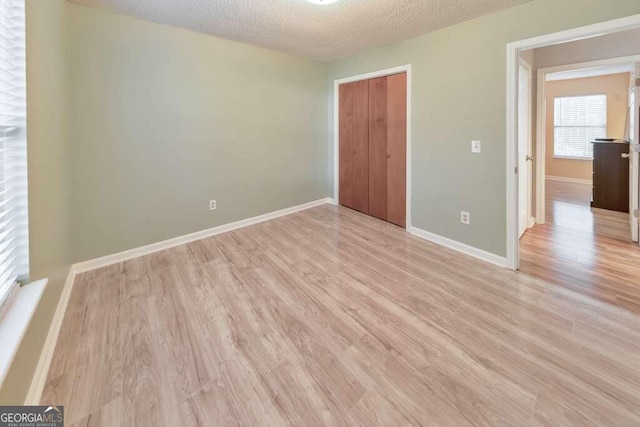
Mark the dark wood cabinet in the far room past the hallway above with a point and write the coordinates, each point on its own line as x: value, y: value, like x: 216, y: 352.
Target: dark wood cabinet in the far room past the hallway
x: 611, y: 176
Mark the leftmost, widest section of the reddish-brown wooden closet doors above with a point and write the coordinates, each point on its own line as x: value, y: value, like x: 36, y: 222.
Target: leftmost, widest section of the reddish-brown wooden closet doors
x: 354, y: 146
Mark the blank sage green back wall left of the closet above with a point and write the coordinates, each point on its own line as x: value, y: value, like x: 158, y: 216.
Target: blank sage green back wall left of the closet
x: 164, y: 119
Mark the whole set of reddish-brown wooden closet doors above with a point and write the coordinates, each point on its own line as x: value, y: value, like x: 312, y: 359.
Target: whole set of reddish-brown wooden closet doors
x: 372, y: 150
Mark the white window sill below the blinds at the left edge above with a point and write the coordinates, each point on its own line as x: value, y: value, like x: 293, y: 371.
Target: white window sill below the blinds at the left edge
x: 15, y: 322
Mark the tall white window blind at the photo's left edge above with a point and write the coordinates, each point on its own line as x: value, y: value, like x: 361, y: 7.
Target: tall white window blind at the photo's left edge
x: 14, y: 258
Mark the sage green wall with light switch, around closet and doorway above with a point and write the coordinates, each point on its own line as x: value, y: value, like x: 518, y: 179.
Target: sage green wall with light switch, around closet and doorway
x: 458, y: 95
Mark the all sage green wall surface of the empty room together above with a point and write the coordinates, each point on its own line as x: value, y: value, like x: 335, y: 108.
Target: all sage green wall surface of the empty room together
x: 161, y: 120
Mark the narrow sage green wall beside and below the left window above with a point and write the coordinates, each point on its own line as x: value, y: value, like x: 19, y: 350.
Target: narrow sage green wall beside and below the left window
x: 49, y: 178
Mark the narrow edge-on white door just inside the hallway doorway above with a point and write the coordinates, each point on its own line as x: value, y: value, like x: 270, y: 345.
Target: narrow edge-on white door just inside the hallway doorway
x: 524, y: 147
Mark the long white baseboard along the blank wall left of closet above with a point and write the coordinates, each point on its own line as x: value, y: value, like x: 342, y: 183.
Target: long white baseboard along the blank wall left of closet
x: 181, y: 240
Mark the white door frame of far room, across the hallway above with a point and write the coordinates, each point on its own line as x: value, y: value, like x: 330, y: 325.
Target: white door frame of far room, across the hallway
x: 541, y: 120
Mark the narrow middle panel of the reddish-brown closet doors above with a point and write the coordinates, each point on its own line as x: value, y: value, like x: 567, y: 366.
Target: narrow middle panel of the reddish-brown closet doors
x: 378, y: 148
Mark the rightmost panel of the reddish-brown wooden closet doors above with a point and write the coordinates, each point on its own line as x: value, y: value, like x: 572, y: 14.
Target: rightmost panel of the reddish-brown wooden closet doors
x: 397, y: 149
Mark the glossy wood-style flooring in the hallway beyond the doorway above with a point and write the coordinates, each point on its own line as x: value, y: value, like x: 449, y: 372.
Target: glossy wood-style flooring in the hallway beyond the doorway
x: 584, y: 249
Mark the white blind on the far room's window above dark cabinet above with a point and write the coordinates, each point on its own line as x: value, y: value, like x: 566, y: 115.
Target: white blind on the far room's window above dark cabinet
x: 578, y: 121
